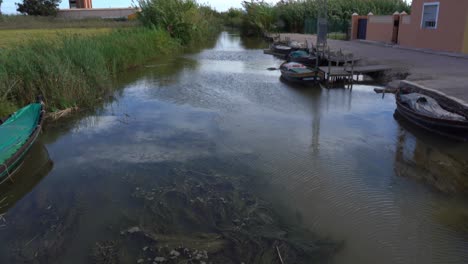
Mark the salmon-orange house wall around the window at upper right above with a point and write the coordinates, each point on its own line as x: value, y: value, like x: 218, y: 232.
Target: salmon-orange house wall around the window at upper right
x: 450, y: 32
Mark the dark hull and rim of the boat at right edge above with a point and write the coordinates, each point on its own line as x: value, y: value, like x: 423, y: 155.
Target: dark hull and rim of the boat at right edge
x: 445, y: 127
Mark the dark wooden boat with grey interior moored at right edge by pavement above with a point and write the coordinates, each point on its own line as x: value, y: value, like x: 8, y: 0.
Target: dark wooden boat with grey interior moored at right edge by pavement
x: 454, y: 124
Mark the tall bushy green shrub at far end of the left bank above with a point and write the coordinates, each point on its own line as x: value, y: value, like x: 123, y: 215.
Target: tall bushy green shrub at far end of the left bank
x: 185, y: 20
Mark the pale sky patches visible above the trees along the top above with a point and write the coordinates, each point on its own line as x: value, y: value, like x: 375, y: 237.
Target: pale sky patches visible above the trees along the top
x: 9, y: 7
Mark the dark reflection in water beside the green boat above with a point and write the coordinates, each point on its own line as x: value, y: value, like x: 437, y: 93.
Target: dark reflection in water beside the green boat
x: 36, y: 165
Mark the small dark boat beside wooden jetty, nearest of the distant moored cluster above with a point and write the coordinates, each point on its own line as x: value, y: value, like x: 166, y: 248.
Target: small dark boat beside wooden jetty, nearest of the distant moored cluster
x: 299, y: 73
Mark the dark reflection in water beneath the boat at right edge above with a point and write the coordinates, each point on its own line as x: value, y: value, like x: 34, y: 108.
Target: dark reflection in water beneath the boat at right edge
x: 418, y: 160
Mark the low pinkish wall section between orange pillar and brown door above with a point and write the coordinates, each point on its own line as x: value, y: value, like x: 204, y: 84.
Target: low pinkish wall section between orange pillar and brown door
x: 380, y: 28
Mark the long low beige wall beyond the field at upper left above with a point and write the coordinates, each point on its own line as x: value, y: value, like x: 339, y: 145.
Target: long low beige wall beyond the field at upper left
x: 82, y: 13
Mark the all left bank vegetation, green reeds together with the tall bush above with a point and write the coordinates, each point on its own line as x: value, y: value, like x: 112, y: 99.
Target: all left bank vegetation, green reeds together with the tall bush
x: 76, y: 69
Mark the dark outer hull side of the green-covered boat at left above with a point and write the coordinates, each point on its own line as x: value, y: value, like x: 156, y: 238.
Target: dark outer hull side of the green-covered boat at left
x: 12, y: 164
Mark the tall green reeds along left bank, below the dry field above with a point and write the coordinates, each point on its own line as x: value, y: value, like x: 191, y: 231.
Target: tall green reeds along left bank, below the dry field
x: 71, y: 70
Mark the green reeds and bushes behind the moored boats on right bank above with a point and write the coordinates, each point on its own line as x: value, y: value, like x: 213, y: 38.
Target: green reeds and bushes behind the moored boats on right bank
x: 300, y: 16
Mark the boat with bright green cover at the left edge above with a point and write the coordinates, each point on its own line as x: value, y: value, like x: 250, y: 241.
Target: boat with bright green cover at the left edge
x: 18, y: 132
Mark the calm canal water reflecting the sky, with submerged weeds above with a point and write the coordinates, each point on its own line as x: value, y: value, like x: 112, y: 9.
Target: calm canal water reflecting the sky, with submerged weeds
x: 209, y: 157
